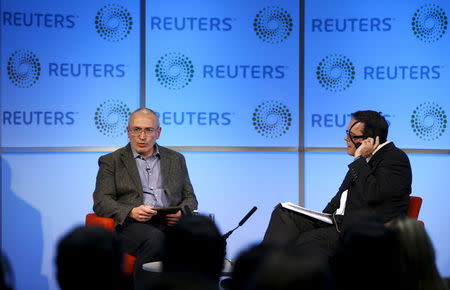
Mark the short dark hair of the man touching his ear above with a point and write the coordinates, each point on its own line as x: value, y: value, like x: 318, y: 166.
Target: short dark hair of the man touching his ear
x: 374, y: 124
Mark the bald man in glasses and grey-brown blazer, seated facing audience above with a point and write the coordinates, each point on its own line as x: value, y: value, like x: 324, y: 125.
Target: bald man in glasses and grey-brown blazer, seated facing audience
x: 136, y: 180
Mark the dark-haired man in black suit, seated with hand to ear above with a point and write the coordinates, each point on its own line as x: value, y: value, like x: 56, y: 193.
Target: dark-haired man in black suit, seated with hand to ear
x: 377, y: 186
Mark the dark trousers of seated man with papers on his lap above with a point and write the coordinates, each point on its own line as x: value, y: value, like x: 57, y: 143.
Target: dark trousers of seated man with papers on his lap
x: 287, y: 227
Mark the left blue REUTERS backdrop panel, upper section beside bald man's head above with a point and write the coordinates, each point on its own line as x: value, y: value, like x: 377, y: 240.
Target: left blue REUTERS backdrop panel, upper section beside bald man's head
x: 70, y: 72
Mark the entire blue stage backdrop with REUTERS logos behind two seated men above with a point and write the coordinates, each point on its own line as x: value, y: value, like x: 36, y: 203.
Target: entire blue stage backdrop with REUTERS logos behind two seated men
x: 229, y: 75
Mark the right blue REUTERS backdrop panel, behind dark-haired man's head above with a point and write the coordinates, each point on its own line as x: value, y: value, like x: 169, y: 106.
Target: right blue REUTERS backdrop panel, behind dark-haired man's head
x: 381, y: 55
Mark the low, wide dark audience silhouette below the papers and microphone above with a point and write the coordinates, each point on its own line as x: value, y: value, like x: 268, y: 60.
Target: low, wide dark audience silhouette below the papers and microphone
x: 269, y: 267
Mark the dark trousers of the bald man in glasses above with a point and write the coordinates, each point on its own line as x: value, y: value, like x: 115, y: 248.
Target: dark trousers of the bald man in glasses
x: 144, y: 241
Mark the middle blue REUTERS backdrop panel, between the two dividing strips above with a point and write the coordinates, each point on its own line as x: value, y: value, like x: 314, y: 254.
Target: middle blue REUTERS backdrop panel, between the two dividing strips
x: 224, y: 73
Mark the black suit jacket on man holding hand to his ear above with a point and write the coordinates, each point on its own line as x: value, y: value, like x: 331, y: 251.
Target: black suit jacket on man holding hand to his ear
x: 379, y: 188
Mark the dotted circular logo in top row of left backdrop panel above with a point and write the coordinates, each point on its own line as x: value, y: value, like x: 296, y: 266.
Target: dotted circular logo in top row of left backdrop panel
x: 113, y: 22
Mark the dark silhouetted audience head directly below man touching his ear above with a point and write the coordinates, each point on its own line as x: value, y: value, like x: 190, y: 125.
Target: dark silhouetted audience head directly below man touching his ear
x: 367, y: 256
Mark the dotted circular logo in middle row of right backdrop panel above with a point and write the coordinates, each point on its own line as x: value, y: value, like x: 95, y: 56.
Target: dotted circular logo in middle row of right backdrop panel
x: 335, y: 72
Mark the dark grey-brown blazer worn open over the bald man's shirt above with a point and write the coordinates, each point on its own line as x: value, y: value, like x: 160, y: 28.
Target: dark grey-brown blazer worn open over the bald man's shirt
x: 118, y: 188
